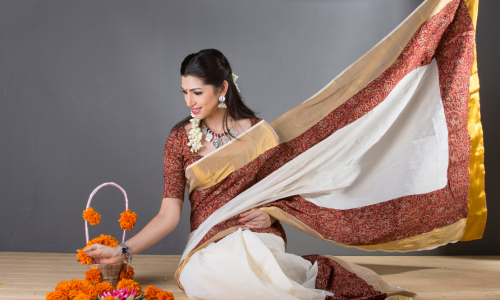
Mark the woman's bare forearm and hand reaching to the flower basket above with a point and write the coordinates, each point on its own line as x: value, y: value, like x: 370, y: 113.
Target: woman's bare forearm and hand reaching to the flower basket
x: 160, y: 226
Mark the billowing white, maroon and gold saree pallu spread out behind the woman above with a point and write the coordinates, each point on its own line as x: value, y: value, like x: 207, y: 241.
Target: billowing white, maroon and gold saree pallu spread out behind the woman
x: 388, y: 156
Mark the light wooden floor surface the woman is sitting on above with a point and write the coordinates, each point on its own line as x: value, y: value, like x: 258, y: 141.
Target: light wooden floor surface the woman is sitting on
x: 30, y: 275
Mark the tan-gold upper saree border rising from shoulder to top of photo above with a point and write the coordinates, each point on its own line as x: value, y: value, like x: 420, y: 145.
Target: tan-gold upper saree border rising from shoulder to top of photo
x: 357, y: 76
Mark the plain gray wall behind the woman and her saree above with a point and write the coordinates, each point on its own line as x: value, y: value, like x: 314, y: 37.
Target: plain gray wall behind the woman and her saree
x: 90, y: 90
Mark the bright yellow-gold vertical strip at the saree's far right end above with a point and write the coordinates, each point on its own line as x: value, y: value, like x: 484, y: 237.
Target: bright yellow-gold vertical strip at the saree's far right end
x: 477, y: 196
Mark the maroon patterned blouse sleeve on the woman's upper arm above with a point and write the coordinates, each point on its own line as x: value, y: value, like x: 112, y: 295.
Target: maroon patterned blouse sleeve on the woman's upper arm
x: 173, y: 167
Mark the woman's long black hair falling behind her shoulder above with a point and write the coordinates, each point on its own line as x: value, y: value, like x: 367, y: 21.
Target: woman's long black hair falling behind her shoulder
x: 212, y: 68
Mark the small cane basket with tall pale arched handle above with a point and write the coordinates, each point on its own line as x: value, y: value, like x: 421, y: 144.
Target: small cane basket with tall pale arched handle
x: 110, y: 272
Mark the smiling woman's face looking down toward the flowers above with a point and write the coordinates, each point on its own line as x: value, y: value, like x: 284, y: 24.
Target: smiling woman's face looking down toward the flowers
x: 199, y: 97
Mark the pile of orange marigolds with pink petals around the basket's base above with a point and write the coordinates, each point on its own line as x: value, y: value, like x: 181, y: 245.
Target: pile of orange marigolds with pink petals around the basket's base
x: 92, y: 288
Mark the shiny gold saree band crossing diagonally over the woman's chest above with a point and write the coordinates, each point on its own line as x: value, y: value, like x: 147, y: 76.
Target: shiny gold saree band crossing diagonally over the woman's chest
x: 216, y: 166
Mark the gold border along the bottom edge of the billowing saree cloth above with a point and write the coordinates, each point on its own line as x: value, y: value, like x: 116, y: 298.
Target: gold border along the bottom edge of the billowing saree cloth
x: 429, y: 240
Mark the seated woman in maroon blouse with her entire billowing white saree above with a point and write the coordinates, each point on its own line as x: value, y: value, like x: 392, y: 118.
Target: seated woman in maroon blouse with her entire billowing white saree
x: 377, y: 161
